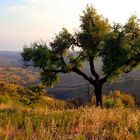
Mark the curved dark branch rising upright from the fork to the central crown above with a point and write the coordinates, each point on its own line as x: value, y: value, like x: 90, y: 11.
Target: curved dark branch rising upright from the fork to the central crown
x: 92, y: 68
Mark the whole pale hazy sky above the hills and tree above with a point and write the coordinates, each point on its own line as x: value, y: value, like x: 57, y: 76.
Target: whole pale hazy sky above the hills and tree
x: 25, y: 21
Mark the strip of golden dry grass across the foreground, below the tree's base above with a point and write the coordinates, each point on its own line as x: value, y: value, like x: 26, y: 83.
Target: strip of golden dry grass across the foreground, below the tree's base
x: 83, y: 123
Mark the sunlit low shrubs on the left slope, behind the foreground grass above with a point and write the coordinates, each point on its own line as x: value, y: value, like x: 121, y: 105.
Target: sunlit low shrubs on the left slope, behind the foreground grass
x: 33, y: 96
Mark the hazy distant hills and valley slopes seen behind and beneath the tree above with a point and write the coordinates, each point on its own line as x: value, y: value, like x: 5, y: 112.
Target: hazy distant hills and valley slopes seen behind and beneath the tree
x: 71, y: 85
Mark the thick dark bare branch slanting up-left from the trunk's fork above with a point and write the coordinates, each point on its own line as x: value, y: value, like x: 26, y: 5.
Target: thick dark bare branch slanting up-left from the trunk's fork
x: 79, y: 72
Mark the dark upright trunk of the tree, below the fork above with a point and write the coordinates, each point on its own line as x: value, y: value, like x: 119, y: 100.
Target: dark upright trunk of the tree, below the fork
x: 98, y: 93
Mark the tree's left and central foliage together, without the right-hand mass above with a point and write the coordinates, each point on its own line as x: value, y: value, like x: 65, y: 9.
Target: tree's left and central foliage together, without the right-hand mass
x: 61, y: 55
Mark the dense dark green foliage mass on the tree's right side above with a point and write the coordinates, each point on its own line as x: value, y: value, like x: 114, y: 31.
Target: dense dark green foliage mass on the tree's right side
x: 121, y: 51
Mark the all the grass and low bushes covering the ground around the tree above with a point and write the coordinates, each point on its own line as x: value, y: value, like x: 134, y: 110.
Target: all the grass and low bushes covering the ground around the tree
x: 48, y: 118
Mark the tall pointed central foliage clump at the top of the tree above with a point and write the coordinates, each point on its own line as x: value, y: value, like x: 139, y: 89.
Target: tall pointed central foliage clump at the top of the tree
x: 93, y: 30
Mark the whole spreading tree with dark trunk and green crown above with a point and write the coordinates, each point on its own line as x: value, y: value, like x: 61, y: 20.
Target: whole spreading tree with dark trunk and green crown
x: 117, y: 46
